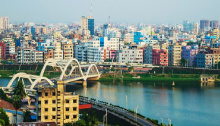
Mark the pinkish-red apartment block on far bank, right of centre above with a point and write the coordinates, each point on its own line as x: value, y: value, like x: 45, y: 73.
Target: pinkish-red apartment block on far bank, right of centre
x: 160, y: 57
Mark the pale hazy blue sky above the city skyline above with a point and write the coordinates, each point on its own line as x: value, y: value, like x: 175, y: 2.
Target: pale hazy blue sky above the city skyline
x: 120, y: 11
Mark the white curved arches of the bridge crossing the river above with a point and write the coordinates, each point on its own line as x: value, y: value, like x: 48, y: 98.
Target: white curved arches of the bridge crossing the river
x: 63, y: 64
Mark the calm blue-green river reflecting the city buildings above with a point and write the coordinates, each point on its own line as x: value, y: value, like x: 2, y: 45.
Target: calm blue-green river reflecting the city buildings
x: 186, y: 104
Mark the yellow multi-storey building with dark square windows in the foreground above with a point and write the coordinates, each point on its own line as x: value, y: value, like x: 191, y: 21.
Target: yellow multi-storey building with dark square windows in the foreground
x: 56, y: 105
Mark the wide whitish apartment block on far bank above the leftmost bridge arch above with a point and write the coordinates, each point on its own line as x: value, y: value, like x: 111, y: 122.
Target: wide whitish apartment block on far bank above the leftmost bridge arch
x: 29, y: 55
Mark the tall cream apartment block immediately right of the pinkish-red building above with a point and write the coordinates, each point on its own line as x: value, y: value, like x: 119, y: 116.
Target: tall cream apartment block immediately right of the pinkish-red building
x: 175, y: 54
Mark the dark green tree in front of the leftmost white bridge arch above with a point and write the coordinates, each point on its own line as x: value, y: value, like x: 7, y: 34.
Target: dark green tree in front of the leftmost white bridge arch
x: 19, y: 90
